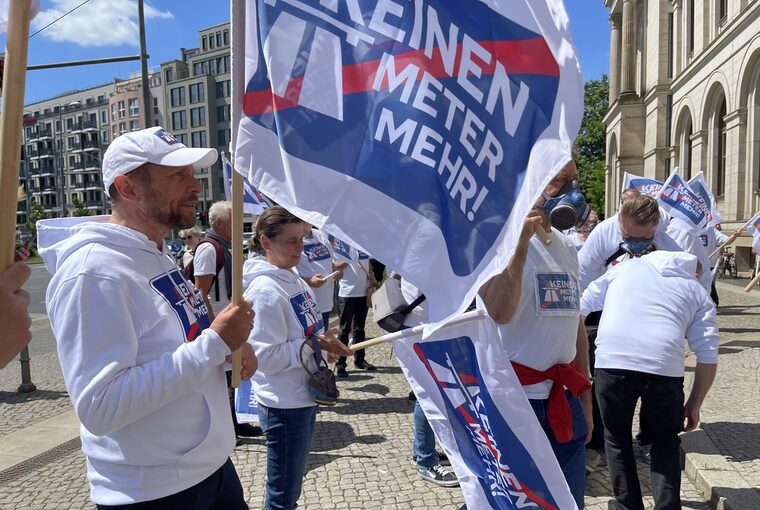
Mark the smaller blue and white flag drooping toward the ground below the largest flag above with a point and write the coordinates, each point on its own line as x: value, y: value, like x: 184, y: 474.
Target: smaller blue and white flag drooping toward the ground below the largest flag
x: 480, y: 414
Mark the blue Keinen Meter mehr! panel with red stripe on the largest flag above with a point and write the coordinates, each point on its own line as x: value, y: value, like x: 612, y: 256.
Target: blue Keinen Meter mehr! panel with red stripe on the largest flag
x: 436, y: 105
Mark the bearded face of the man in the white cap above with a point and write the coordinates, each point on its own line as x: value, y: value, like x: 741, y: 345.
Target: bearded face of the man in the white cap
x: 170, y: 195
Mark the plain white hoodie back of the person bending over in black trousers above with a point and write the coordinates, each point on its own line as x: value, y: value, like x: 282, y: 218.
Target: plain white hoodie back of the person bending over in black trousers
x: 650, y: 304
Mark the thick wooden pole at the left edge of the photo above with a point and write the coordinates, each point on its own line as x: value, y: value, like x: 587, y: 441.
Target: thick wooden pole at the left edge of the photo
x: 14, y: 80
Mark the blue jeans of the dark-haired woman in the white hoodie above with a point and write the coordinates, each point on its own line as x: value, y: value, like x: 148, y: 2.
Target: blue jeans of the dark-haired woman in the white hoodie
x: 288, y: 438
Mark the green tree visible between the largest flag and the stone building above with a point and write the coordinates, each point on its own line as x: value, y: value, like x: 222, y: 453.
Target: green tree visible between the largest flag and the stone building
x: 591, y: 142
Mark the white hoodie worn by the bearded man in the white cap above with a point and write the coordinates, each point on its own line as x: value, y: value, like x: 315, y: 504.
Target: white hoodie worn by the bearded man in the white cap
x: 144, y: 376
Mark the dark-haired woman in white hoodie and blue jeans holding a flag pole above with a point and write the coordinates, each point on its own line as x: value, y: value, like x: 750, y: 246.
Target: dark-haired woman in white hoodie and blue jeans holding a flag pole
x: 287, y: 323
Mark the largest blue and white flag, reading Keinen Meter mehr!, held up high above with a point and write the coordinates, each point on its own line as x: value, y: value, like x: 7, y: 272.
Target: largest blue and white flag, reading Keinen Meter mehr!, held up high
x: 419, y: 132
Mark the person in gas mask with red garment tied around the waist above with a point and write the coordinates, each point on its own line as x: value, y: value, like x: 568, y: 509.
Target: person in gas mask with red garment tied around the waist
x: 536, y: 301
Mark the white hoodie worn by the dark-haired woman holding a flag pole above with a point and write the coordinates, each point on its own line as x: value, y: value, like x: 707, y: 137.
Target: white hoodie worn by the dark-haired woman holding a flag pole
x: 286, y: 313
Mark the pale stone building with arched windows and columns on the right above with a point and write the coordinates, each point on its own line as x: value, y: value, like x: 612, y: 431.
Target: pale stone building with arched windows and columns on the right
x: 685, y: 92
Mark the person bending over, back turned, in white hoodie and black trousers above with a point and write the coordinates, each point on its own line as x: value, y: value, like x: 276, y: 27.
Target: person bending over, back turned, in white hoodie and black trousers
x: 650, y: 305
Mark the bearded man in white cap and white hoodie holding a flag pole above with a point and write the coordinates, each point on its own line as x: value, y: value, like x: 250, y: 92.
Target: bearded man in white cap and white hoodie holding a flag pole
x: 142, y: 364
